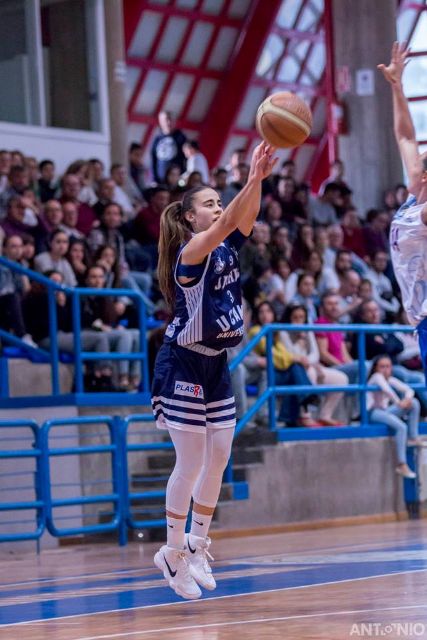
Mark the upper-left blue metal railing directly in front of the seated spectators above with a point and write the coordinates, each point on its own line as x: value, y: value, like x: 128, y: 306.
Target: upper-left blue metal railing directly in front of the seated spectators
x: 79, y: 356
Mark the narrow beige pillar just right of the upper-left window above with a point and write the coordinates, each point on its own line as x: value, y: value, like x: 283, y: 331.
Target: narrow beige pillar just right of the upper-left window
x: 114, y: 35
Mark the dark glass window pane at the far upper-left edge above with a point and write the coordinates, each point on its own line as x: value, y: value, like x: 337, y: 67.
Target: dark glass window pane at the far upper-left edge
x: 18, y: 70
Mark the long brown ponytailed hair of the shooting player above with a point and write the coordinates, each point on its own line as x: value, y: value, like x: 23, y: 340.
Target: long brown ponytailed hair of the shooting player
x: 174, y: 230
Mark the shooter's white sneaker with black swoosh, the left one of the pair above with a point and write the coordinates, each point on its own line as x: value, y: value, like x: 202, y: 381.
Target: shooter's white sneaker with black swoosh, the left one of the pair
x: 173, y: 563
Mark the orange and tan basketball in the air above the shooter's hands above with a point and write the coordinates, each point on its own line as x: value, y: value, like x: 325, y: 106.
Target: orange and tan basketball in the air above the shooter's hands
x: 284, y: 120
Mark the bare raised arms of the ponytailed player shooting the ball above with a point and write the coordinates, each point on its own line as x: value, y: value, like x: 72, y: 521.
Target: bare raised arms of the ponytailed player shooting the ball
x: 238, y: 215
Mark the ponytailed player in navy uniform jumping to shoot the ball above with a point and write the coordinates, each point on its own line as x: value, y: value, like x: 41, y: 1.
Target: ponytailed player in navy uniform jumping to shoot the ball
x: 191, y: 392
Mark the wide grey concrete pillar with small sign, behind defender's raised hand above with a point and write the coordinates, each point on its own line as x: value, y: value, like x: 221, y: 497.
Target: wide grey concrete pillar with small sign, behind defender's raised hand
x: 363, y: 34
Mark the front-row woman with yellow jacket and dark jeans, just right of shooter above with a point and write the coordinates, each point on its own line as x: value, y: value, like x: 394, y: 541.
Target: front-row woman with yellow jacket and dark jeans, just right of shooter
x: 288, y: 371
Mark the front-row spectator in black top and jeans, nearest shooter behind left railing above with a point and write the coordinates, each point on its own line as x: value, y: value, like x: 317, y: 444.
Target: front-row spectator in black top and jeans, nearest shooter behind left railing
x: 102, y: 314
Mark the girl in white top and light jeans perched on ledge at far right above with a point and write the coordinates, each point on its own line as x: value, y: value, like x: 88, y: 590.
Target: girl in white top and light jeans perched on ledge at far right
x: 394, y: 404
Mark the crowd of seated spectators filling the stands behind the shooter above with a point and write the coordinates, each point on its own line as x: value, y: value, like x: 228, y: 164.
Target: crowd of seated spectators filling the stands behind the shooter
x: 310, y: 259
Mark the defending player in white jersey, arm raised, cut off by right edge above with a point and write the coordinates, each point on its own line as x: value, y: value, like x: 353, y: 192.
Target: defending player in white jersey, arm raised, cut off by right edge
x: 408, y: 233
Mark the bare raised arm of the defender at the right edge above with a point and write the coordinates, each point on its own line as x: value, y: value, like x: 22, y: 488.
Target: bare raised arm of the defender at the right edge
x: 403, y: 125
